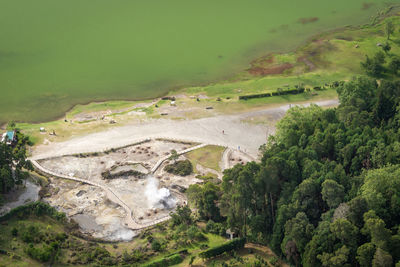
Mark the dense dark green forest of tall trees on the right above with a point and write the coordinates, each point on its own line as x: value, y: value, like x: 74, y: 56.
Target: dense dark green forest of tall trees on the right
x: 327, y: 190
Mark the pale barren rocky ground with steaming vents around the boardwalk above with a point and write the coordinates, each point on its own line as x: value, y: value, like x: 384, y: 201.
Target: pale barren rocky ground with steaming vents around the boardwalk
x: 126, y: 172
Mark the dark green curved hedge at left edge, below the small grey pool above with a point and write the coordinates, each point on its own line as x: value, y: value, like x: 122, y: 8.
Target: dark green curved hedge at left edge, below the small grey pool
x: 35, y: 208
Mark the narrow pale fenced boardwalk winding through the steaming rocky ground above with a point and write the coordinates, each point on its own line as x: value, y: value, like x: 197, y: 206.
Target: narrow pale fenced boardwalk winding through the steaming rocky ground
x: 130, y: 220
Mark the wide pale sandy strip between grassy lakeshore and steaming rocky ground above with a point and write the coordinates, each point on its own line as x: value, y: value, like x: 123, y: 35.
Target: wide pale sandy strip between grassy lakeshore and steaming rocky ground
x: 238, y: 134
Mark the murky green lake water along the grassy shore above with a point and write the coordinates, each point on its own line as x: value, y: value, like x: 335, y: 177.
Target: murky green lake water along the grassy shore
x: 57, y: 53
